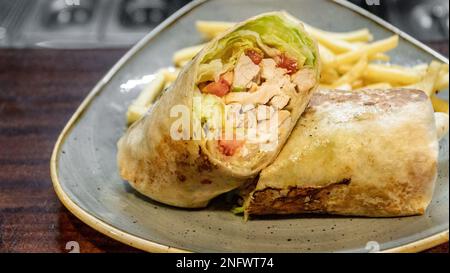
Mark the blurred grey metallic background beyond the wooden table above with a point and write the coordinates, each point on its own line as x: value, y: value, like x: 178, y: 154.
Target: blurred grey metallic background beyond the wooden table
x: 120, y: 23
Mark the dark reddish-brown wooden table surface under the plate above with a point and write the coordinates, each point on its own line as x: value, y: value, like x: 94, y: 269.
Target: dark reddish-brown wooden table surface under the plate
x: 39, y: 91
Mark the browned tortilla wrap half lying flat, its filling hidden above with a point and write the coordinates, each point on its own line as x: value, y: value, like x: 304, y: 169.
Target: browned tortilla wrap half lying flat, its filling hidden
x: 365, y: 153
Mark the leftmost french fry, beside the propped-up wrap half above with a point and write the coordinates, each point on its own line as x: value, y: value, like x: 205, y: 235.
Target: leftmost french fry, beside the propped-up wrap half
x: 140, y: 105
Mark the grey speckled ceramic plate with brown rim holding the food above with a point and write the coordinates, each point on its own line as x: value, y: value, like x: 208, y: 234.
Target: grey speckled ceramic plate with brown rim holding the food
x: 85, y: 175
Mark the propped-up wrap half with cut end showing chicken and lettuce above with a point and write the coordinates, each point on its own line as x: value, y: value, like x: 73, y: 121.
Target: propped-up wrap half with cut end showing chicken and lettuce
x: 243, y: 94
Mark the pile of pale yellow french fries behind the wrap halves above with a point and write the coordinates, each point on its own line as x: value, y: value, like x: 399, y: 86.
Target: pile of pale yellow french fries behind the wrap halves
x: 350, y: 61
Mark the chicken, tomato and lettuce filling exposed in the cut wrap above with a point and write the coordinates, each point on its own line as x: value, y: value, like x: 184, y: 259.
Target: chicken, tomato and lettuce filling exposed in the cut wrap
x: 248, y: 87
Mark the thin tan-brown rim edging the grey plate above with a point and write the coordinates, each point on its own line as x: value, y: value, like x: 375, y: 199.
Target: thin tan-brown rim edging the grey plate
x: 147, y: 245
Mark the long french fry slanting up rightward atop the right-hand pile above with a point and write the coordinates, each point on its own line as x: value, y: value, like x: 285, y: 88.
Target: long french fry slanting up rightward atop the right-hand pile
x: 369, y: 50
